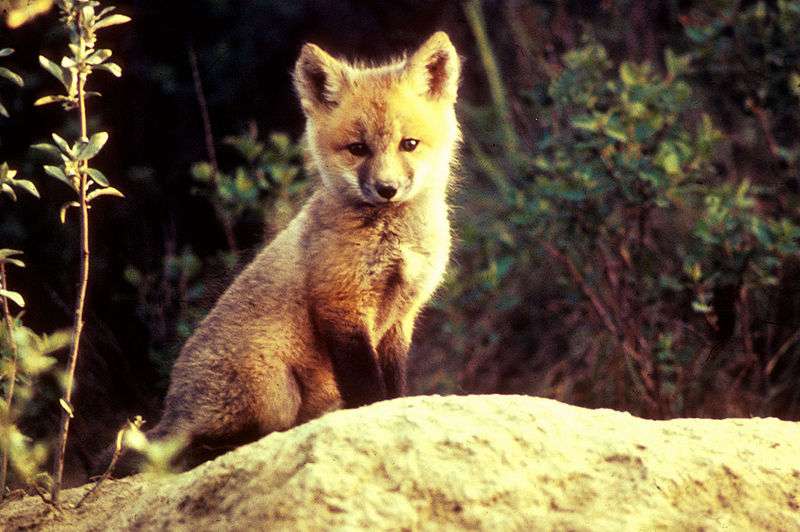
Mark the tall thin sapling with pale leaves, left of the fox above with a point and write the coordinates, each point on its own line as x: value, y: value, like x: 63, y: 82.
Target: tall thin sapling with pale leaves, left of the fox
x: 82, y: 21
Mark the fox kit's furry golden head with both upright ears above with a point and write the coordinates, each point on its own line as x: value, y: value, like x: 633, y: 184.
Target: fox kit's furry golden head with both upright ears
x: 381, y: 135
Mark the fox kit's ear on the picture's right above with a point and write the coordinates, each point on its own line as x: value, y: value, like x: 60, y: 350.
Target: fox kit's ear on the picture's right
x: 435, y: 67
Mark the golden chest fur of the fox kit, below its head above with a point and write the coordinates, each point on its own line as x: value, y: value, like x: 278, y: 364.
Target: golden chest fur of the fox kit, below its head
x: 387, y: 261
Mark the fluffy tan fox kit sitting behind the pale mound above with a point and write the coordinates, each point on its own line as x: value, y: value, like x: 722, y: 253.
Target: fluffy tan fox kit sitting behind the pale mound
x: 322, y: 318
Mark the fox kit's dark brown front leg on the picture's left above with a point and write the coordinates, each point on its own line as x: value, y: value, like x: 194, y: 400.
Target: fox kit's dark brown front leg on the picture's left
x: 355, y: 362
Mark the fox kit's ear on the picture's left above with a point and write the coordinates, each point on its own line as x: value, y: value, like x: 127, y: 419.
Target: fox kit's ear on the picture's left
x: 319, y: 78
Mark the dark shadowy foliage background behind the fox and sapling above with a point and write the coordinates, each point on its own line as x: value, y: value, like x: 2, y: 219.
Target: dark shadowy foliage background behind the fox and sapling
x: 700, y: 317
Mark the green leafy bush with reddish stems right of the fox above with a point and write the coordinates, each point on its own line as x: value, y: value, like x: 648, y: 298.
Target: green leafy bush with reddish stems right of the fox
x: 656, y: 267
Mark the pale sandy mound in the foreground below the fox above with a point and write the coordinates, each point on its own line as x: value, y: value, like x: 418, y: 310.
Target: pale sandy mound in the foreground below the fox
x: 475, y: 462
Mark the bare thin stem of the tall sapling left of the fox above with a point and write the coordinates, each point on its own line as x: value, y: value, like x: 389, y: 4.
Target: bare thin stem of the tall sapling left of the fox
x: 58, y: 465
